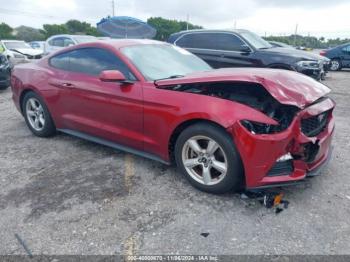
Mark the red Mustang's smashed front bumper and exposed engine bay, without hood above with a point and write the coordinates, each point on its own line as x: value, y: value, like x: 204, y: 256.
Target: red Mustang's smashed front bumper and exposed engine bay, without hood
x: 294, y: 144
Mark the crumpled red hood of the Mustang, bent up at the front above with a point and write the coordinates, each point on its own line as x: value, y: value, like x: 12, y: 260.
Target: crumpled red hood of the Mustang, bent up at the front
x: 287, y: 87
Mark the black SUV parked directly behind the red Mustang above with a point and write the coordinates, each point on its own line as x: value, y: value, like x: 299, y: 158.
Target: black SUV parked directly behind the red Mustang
x: 242, y: 48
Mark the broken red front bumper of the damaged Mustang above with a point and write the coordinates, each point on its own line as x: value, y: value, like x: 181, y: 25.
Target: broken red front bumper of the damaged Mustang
x: 259, y: 153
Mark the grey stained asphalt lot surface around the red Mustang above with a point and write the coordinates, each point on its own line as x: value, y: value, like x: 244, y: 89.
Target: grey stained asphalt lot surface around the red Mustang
x: 67, y: 196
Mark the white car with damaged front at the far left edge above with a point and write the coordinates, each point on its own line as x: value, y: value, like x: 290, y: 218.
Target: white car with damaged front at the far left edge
x: 19, y: 51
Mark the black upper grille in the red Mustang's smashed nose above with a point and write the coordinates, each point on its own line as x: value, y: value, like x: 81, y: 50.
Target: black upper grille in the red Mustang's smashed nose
x: 314, y: 125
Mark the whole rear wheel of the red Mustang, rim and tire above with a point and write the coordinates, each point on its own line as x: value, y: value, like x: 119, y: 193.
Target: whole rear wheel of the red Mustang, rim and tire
x: 37, y: 116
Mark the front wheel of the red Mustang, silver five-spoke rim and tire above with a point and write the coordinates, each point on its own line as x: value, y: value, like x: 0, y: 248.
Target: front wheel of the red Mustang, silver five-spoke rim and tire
x: 193, y: 164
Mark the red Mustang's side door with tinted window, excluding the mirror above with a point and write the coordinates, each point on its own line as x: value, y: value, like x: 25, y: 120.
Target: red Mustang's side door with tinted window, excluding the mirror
x: 108, y: 110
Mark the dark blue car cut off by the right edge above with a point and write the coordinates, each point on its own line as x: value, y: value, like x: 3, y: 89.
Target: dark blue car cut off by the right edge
x: 339, y: 56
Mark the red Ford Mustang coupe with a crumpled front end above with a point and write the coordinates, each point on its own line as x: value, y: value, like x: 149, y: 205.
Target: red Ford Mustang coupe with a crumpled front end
x: 224, y: 128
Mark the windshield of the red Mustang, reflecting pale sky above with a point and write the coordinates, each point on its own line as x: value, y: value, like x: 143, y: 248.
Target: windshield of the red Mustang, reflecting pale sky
x: 164, y: 61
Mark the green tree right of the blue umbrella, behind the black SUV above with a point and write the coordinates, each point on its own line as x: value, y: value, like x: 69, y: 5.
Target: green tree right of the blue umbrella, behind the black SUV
x: 166, y: 27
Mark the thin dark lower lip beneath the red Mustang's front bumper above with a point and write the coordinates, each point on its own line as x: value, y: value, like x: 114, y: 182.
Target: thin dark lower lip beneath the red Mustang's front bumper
x: 316, y: 172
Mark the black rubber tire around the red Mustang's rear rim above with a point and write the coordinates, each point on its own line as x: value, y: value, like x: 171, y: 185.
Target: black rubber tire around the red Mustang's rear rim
x: 48, y: 128
